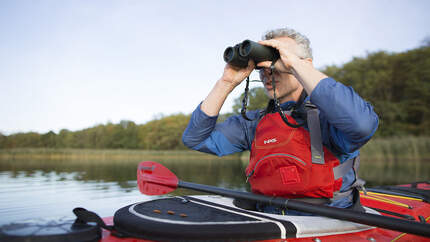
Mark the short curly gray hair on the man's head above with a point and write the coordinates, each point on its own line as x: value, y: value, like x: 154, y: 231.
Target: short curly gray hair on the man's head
x: 301, y: 40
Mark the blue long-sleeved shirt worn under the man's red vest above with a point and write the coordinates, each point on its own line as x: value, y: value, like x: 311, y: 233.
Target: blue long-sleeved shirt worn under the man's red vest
x: 347, y: 123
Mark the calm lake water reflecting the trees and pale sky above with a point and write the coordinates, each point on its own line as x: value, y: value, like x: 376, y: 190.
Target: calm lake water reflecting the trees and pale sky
x: 51, y: 189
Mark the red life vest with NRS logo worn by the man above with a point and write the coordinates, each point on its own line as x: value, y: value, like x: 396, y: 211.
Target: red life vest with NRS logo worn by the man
x: 281, y: 164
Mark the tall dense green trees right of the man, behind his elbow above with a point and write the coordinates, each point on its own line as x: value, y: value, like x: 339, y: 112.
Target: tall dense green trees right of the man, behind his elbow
x: 397, y: 85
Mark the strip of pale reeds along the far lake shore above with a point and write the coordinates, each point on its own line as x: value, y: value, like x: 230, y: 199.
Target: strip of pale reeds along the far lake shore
x: 395, y: 149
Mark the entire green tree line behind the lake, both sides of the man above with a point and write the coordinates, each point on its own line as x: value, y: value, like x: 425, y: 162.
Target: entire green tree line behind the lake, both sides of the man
x: 396, y: 84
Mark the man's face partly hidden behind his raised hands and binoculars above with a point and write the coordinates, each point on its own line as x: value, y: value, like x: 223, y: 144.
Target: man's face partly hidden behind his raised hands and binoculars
x: 287, y: 86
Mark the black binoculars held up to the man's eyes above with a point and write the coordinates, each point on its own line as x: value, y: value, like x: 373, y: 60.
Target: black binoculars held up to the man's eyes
x: 240, y: 54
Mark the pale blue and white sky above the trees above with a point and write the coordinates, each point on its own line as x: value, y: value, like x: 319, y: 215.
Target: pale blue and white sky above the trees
x: 74, y: 64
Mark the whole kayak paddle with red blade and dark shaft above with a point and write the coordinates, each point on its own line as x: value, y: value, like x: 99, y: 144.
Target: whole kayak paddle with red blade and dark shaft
x: 155, y: 179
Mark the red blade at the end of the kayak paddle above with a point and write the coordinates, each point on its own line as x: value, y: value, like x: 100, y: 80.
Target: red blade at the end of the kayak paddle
x: 155, y: 179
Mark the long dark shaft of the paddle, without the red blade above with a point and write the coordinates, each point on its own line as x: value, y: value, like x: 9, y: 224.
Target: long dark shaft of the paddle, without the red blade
x: 322, y: 210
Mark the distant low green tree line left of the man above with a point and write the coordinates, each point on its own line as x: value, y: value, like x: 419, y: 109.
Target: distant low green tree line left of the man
x: 164, y: 133
